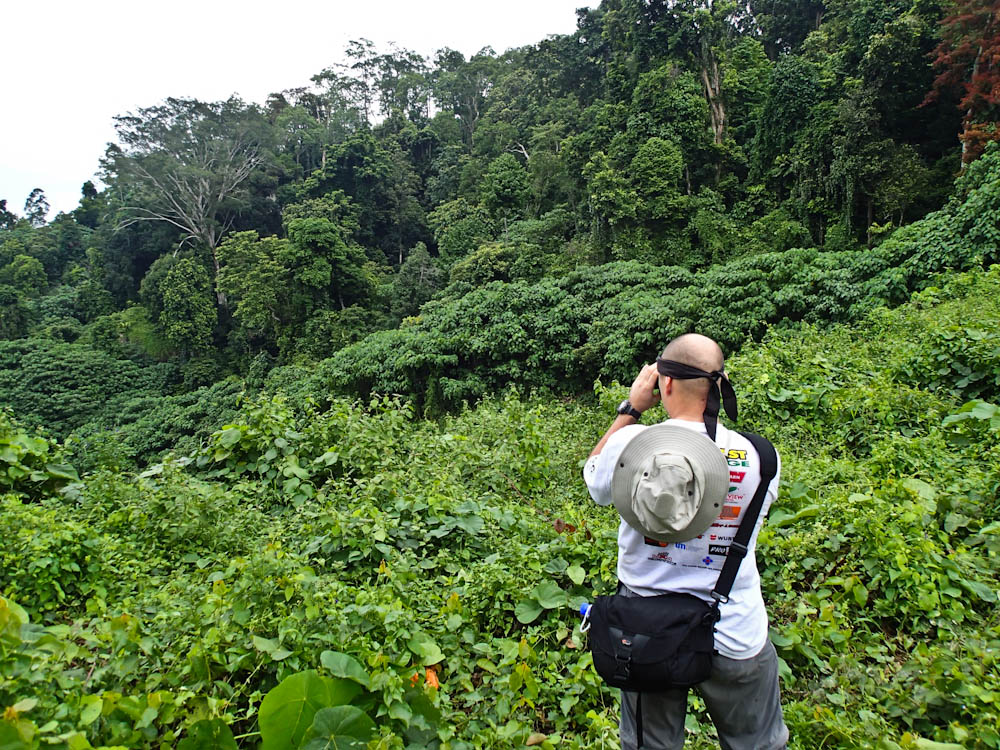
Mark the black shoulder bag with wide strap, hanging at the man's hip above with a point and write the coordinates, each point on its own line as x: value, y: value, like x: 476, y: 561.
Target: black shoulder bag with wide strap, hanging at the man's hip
x: 655, y: 643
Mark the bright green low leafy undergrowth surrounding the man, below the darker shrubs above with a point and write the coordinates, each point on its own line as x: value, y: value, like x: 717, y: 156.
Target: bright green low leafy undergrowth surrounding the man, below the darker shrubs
x: 358, y: 576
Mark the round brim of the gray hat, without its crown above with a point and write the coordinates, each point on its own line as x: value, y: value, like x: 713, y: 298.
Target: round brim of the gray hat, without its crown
x: 698, y: 449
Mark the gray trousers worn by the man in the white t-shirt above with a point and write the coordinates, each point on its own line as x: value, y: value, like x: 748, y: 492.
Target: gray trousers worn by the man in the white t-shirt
x: 741, y: 696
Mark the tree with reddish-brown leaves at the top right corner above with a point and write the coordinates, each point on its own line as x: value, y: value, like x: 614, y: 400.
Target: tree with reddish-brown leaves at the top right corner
x: 968, y: 59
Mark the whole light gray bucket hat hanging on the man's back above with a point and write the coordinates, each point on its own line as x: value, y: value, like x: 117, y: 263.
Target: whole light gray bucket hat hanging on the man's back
x: 670, y: 483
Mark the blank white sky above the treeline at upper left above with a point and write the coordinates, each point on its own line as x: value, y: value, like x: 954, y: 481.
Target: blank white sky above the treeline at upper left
x: 70, y: 66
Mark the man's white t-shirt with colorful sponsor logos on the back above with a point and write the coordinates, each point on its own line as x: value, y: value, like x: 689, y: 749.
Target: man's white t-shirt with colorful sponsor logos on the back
x: 649, y: 567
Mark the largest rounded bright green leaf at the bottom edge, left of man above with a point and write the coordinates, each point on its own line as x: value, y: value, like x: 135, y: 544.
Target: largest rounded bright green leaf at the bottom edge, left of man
x: 287, y: 710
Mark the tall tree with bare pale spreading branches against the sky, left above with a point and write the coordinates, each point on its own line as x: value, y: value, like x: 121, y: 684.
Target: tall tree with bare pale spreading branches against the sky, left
x: 186, y: 163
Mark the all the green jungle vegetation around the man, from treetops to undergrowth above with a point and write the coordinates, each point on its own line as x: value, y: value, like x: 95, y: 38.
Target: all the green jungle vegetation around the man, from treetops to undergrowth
x: 293, y: 406
